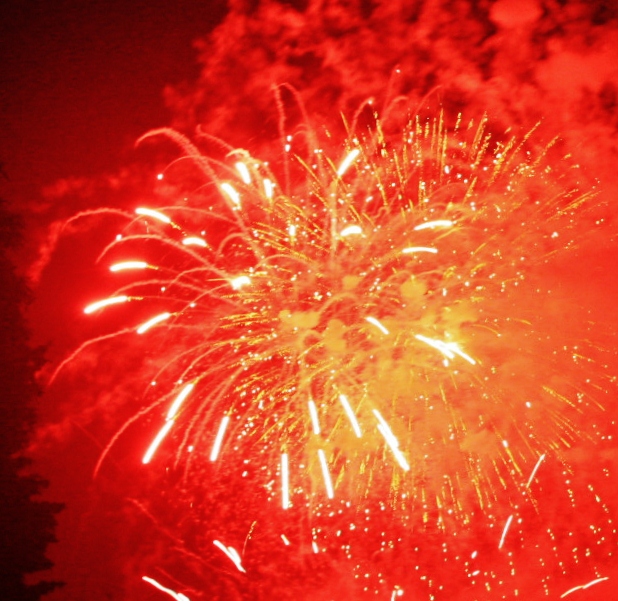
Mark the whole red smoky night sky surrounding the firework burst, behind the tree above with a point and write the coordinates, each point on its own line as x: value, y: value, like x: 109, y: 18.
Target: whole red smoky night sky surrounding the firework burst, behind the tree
x: 81, y: 81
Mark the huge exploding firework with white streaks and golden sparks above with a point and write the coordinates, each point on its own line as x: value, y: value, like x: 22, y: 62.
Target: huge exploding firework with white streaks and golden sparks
x: 376, y: 342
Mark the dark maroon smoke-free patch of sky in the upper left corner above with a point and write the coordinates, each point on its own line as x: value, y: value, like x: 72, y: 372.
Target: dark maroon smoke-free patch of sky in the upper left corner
x: 81, y: 80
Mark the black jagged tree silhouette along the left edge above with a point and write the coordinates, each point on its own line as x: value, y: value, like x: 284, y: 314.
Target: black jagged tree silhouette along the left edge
x: 26, y: 524
